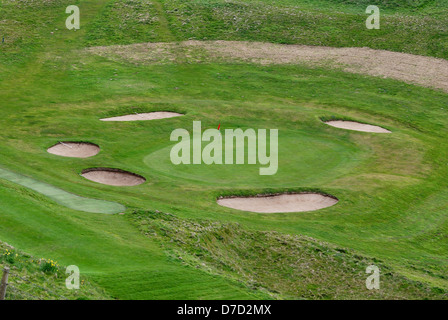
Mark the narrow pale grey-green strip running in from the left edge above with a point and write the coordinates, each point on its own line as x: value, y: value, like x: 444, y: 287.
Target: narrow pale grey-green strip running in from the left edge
x: 62, y: 197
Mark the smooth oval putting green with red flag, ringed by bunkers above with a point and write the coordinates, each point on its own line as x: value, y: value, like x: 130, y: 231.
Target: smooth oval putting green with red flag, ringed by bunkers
x: 303, y: 159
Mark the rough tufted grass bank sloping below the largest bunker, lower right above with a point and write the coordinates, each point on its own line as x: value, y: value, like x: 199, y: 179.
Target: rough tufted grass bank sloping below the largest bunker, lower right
x: 285, y: 266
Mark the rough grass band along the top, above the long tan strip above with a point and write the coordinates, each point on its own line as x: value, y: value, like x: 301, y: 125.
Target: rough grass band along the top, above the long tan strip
x: 325, y: 23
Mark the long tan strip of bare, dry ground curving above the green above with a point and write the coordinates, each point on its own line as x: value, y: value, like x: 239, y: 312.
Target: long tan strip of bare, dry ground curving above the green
x: 421, y: 70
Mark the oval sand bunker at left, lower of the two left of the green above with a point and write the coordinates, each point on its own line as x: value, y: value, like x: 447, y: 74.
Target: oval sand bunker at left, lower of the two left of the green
x: 113, y: 177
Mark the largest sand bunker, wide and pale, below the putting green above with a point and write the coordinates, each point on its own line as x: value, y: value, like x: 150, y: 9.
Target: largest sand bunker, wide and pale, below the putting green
x: 280, y: 203
